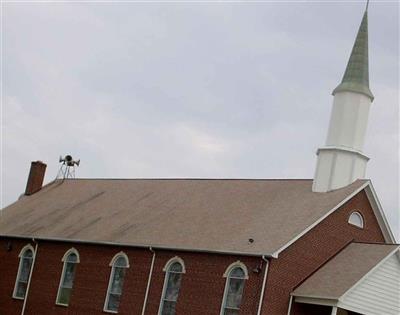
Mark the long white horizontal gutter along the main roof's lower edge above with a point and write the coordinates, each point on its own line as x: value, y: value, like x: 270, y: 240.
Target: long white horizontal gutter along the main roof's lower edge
x: 207, y: 251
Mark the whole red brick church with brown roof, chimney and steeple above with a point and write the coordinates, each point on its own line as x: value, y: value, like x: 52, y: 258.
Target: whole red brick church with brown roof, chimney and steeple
x: 211, y: 246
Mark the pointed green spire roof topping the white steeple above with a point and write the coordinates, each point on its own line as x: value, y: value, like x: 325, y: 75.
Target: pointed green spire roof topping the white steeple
x: 356, y: 77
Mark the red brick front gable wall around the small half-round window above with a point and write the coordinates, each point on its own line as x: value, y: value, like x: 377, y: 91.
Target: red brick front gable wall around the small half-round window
x: 312, y: 250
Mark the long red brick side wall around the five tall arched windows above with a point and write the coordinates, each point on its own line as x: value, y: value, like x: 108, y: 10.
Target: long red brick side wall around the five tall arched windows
x: 201, y: 292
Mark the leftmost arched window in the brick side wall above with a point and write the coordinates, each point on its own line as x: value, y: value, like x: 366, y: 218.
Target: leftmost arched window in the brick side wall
x: 24, y: 270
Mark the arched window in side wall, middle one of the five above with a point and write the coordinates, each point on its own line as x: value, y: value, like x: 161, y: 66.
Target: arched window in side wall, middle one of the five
x: 114, y: 292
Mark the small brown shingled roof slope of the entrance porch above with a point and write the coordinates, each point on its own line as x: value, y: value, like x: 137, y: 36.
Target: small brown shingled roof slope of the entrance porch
x: 344, y: 271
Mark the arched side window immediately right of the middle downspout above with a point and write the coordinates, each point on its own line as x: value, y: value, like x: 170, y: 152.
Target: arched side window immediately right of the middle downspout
x: 172, y: 283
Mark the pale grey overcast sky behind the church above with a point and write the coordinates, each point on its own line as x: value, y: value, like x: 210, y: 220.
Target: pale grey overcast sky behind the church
x: 220, y: 90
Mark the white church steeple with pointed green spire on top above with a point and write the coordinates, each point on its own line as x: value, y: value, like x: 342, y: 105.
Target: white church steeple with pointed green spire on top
x: 341, y: 161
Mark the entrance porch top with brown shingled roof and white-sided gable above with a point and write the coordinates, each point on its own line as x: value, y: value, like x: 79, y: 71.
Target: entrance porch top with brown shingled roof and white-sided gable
x: 363, y: 278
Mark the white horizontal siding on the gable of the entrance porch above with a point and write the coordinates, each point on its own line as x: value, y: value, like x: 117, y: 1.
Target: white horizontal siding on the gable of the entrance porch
x: 378, y: 293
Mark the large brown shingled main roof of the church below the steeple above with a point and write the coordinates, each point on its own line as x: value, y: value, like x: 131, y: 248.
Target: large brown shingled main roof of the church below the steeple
x: 199, y: 214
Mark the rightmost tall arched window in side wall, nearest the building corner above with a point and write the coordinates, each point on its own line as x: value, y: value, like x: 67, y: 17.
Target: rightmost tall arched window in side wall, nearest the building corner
x: 236, y: 274
